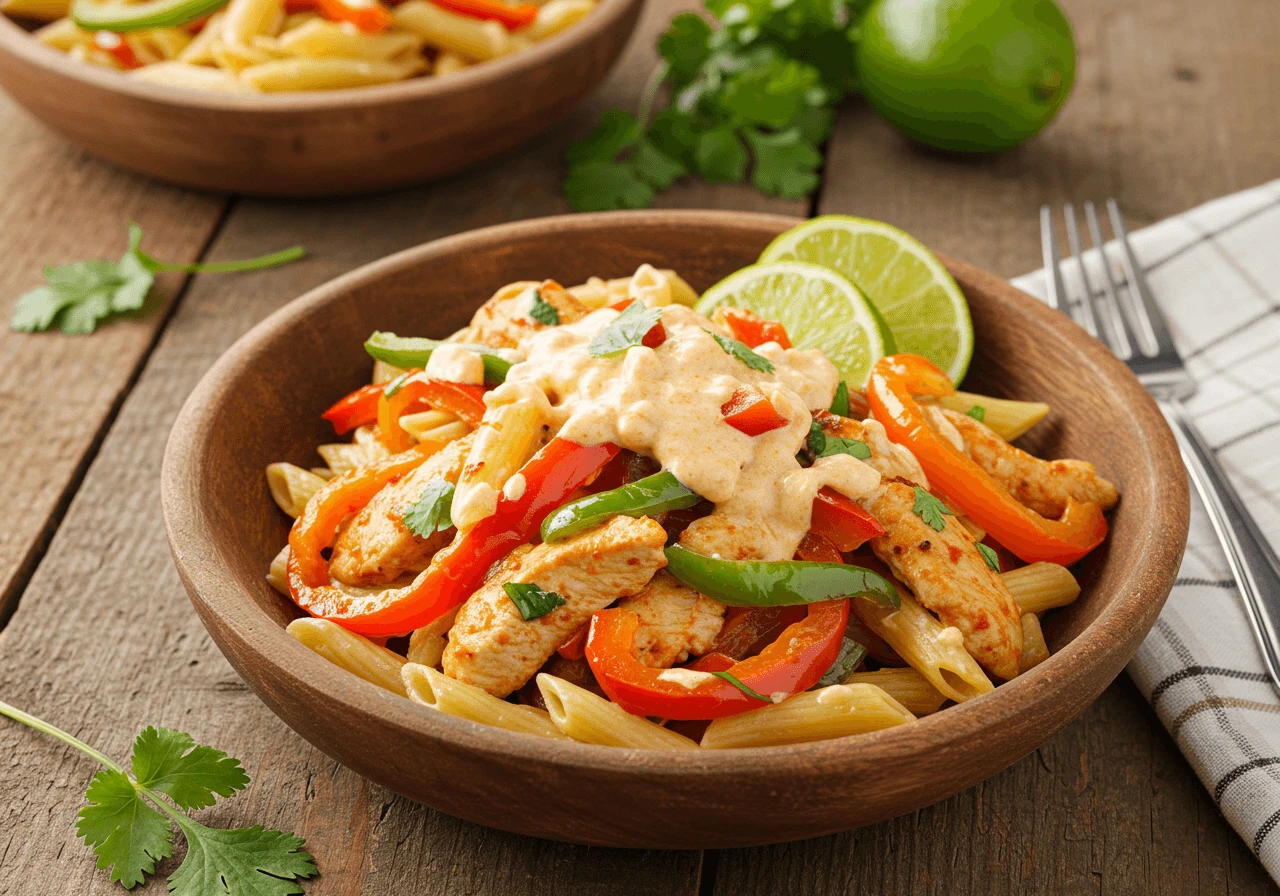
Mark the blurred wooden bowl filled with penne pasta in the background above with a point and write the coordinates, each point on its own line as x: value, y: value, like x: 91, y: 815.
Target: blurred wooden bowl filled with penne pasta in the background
x: 267, y: 102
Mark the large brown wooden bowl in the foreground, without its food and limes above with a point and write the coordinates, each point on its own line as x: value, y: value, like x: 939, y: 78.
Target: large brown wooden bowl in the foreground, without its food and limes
x: 262, y: 404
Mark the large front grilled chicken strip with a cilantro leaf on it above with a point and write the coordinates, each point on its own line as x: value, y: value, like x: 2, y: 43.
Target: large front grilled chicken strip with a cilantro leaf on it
x: 492, y: 647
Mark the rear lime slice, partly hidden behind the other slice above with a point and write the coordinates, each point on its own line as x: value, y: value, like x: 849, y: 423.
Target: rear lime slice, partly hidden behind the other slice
x: 924, y: 307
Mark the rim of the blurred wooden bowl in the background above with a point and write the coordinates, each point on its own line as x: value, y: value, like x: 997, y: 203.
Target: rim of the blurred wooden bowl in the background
x: 17, y: 42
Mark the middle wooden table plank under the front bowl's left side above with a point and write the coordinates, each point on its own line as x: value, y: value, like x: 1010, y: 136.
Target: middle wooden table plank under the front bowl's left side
x: 107, y: 598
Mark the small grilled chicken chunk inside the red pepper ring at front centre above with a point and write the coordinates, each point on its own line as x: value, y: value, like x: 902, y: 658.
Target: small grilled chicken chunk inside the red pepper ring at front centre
x: 675, y: 621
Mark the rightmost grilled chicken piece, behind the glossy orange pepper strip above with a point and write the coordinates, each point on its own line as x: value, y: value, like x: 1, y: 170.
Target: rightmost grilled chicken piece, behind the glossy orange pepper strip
x: 1044, y: 487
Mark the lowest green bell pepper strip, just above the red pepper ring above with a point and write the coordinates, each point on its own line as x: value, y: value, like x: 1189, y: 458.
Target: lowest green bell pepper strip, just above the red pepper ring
x: 776, y: 583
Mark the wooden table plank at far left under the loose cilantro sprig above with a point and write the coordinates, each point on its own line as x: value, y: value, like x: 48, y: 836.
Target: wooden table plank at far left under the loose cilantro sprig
x: 58, y: 392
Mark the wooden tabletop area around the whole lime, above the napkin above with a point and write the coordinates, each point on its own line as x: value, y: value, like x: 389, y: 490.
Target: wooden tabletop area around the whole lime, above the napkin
x: 1165, y: 115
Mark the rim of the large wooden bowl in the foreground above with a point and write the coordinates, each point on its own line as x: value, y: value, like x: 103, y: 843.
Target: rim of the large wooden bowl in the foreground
x: 1140, y: 596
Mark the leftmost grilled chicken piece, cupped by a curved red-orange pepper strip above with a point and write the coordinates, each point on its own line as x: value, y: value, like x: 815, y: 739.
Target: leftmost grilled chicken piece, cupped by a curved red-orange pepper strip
x: 376, y: 547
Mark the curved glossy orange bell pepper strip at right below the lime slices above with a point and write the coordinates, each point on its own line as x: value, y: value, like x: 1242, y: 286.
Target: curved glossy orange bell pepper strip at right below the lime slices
x: 894, y: 381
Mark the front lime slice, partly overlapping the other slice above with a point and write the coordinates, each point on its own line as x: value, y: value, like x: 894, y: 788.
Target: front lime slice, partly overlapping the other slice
x: 820, y: 308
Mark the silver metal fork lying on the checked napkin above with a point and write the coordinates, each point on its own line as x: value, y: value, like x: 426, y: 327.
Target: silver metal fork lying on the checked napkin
x: 1136, y: 332
